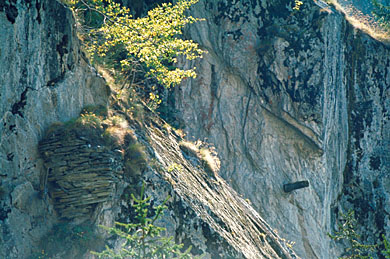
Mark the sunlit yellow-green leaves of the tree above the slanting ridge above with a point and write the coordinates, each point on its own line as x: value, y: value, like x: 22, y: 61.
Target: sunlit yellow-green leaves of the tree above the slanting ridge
x: 153, y: 40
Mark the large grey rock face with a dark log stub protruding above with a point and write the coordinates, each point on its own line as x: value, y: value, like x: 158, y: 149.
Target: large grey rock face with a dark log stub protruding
x: 287, y: 96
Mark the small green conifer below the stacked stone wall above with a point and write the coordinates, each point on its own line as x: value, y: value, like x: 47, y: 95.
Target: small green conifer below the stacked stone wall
x: 143, y: 239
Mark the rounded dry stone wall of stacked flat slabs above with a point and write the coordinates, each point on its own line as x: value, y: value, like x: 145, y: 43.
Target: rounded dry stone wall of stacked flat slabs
x: 80, y: 174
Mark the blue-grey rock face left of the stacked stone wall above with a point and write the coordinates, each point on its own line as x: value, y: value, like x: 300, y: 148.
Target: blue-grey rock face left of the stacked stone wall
x: 43, y: 78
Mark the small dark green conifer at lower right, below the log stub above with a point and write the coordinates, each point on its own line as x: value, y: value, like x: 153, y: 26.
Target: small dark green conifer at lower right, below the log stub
x: 348, y: 234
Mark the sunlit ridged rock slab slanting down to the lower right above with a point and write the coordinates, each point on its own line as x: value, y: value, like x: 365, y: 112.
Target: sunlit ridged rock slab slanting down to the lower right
x: 204, y: 210
